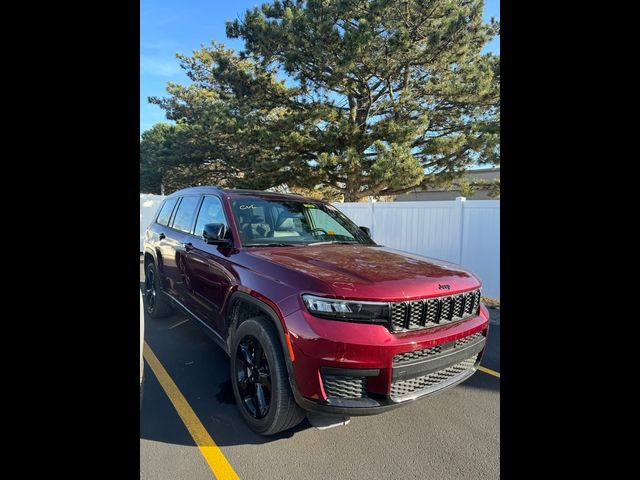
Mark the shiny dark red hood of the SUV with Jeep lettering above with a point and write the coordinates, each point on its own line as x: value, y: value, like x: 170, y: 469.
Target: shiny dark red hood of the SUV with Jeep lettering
x: 371, y: 272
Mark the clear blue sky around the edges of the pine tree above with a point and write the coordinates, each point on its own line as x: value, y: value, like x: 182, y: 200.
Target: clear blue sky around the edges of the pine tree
x: 171, y: 26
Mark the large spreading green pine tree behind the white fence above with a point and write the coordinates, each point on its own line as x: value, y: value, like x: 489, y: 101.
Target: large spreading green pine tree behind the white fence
x: 380, y: 96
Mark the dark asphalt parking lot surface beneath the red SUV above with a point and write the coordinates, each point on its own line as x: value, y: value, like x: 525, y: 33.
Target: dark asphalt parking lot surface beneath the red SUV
x: 452, y: 435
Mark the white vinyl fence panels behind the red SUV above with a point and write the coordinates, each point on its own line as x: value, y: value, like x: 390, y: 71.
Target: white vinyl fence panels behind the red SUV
x: 466, y: 232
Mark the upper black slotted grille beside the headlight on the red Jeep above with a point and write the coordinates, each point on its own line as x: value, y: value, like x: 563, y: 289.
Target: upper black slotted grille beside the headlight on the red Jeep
x: 432, y: 312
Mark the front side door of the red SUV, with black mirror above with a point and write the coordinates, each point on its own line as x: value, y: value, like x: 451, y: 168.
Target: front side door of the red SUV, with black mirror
x: 210, y: 273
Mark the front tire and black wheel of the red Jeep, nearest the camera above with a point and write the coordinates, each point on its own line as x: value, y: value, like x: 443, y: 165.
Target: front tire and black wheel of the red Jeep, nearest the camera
x: 259, y: 378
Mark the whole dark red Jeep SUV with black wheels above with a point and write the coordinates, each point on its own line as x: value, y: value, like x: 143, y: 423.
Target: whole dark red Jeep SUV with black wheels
x: 315, y: 316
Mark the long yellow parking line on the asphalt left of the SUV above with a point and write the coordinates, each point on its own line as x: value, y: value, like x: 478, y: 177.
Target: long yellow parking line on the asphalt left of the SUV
x: 210, y: 451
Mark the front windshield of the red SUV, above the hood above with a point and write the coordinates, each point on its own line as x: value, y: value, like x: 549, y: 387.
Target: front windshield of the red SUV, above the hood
x: 267, y: 222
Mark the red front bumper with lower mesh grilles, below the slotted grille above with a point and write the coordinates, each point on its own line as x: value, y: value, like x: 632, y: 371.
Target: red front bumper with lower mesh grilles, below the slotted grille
x: 334, y: 360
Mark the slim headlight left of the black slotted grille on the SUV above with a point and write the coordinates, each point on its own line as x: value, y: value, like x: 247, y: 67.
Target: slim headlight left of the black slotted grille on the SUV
x: 350, y: 310
